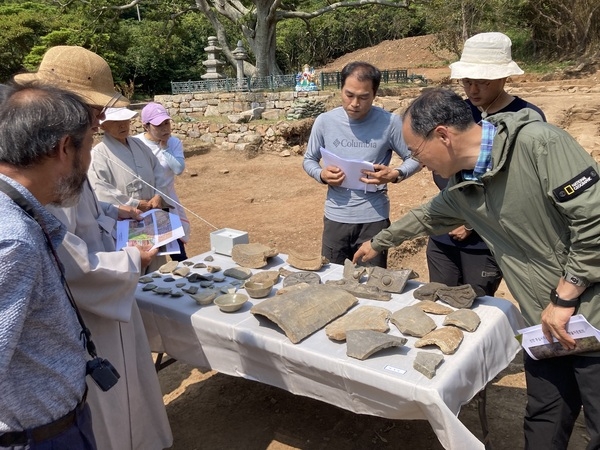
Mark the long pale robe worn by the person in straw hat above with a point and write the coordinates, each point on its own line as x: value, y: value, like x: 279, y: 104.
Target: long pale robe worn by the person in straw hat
x: 131, y: 415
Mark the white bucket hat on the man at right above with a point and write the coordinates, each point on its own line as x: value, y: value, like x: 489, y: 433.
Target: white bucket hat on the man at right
x: 486, y: 56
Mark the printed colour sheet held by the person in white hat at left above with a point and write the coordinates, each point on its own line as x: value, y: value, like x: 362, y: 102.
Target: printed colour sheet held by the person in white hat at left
x: 157, y: 228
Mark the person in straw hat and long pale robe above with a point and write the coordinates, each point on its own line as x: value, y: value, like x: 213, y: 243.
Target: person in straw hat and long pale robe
x: 103, y: 281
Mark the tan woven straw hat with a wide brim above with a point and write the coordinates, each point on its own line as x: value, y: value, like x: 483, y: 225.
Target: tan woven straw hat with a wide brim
x: 80, y: 71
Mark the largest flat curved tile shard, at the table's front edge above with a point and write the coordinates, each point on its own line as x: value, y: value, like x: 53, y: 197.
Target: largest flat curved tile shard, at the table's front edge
x: 301, y: 313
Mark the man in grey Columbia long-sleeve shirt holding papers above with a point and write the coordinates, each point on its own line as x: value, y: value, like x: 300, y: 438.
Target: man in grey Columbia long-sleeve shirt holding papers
x: 357, y: 131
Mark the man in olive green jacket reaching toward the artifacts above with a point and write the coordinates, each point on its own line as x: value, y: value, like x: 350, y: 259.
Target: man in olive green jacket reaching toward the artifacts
x: 532, y: 193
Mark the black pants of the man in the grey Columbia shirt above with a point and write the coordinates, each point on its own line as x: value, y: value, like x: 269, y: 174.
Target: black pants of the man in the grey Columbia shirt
x: 341, y: 240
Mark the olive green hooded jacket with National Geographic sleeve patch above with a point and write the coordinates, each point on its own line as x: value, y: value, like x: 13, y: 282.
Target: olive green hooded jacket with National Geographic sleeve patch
x: 538, y: 210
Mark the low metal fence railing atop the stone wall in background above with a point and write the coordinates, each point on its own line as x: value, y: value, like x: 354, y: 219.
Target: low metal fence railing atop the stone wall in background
x: 282, y: 82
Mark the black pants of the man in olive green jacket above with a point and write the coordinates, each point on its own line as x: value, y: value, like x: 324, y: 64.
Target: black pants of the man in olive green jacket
x: 557, y: 388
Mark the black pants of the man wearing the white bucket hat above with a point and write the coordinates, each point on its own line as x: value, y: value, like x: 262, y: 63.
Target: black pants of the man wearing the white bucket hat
x: 455, y: 266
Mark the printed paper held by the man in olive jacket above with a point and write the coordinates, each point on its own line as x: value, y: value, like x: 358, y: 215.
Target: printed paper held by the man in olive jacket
x: 534, y: 342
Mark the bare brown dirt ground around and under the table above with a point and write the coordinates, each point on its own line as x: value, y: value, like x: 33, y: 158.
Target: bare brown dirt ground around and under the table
x: 272, y: 198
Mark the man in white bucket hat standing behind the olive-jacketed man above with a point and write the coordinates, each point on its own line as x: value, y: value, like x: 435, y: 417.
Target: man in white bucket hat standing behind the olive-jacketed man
x: 460, y: 256
